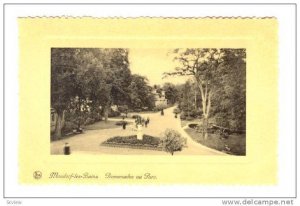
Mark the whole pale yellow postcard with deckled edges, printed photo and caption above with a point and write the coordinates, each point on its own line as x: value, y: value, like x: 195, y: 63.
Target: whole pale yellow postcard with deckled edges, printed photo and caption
x: 148, y: 101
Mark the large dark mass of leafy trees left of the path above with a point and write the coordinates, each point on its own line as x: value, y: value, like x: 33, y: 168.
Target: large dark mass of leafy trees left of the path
x: 98, y: 78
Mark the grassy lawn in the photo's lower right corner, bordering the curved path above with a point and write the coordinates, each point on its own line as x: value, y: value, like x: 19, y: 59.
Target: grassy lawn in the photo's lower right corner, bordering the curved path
x: 234, y: 144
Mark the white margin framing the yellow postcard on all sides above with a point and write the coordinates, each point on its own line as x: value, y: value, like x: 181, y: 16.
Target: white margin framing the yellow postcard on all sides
x: 286, y: 153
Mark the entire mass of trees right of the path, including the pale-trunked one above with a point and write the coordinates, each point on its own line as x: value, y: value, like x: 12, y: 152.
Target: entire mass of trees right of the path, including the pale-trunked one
x: 219, y: 80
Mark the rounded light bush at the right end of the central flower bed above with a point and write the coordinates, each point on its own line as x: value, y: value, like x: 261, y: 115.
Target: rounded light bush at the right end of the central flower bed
x: 172, y: 141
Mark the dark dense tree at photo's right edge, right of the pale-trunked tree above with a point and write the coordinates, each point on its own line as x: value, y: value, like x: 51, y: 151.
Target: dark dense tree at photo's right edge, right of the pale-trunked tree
x: 230, y: 98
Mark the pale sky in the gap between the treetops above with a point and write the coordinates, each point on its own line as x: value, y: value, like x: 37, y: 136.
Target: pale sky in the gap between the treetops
x: 152, y: 63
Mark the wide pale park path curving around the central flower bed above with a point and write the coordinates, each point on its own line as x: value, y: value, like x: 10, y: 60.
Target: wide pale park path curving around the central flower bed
x: 89, y: 142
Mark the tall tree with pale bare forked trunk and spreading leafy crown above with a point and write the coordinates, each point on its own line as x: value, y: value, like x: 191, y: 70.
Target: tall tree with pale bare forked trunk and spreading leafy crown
x: 207, y: 66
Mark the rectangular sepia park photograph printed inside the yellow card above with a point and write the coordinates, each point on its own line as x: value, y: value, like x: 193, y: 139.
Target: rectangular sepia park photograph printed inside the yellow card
x: 148, y: 101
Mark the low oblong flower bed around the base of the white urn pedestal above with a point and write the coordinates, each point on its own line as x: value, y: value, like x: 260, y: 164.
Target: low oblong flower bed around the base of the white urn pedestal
x: 148, y: 142
